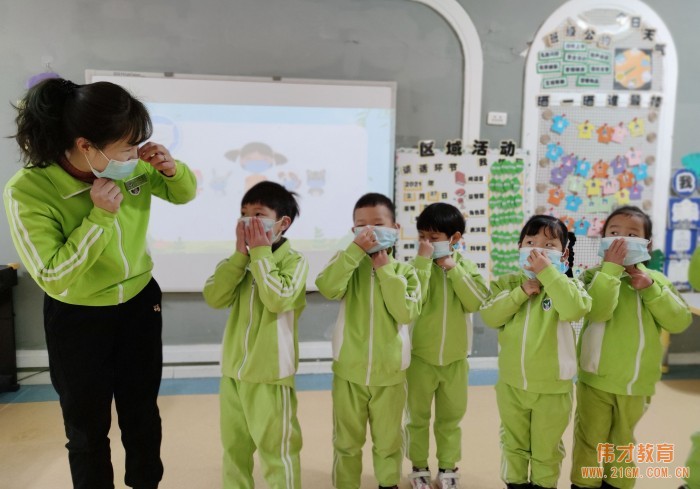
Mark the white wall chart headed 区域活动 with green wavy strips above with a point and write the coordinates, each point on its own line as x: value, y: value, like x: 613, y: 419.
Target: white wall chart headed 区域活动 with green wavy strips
x: 485, y: 184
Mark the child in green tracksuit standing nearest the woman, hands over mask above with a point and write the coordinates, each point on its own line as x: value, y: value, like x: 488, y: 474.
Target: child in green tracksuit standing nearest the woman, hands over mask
x: 264, y: 284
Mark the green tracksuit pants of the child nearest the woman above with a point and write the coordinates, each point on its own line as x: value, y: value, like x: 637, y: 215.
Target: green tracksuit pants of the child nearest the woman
x: 262, y: 417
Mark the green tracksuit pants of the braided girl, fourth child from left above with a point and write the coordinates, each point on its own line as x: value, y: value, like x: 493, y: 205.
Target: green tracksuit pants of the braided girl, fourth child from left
x: 532, y: 426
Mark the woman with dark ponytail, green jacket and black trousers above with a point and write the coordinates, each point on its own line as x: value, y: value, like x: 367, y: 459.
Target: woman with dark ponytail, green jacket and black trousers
x: 78, y: 213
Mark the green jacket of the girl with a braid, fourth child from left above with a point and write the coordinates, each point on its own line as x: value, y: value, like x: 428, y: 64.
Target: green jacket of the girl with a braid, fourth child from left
x: 537, y: 342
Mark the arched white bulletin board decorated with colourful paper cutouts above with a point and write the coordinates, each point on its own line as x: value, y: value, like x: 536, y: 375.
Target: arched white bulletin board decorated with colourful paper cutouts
x: 599, y: 103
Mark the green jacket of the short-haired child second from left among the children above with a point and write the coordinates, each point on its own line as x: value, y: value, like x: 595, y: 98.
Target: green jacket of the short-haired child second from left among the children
x: 371, y: 344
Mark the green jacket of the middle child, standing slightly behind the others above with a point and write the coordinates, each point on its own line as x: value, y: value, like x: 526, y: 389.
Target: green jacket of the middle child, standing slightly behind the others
x: 439, y: 335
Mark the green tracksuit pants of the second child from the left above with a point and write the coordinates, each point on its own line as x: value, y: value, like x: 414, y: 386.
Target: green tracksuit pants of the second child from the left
x: 353, y: 406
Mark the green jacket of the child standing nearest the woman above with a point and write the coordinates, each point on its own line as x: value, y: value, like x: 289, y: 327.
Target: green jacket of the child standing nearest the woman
x: 266, y: 294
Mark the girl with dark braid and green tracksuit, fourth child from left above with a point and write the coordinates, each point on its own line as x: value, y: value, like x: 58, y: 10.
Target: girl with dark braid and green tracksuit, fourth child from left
x: 533, y: 311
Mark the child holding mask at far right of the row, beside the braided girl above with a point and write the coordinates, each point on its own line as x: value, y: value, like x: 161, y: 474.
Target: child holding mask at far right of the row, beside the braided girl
x: 619, y: 347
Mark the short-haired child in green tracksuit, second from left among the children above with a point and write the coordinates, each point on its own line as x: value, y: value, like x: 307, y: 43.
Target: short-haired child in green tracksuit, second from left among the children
x: 371, y: 345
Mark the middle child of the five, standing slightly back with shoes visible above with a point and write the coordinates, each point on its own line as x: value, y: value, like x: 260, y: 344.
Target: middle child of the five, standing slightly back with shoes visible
x: 451, y: 288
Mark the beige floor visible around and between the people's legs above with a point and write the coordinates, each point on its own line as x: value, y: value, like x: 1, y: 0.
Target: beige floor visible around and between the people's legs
x: 32, y: 455
